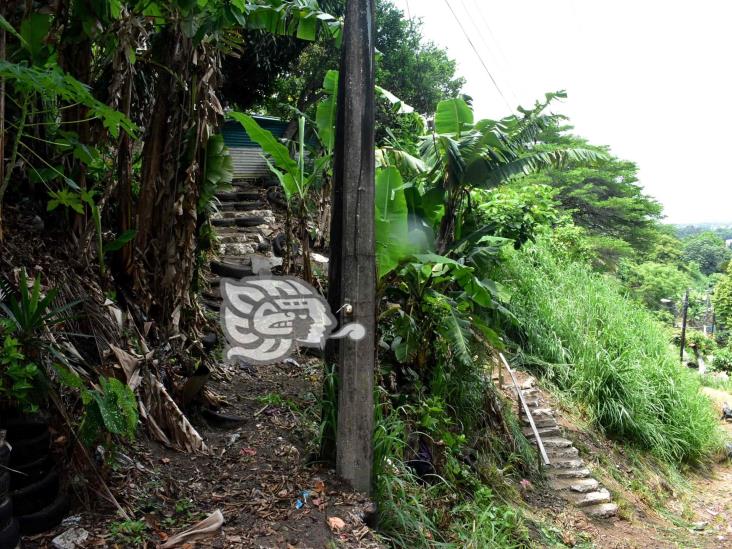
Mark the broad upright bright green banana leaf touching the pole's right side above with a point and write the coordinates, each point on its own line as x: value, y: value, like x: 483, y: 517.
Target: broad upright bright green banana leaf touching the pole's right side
x: 392, y: 226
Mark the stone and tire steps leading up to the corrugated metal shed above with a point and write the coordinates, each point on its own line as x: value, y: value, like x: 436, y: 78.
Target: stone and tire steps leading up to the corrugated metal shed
x: 248, y: 236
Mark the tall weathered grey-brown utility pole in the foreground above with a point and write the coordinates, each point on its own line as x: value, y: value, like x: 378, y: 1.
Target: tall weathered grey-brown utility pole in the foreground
x: 352, y: 272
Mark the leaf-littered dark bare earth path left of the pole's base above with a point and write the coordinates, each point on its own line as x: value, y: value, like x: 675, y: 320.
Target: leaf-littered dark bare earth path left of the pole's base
x: 257, y: 475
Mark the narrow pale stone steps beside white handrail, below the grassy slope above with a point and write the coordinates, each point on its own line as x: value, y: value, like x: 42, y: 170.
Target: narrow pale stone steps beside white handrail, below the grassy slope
x: 568, y: 474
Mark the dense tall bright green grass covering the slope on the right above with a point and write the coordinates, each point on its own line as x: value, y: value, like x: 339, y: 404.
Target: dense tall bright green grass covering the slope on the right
x: 609, y: 354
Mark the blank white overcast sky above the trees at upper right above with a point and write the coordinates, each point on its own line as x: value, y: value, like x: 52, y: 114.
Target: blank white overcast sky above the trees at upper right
x: 650, y: 78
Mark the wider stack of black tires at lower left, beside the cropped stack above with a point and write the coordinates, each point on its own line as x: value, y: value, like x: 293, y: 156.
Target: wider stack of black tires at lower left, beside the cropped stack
x: 38, y: 504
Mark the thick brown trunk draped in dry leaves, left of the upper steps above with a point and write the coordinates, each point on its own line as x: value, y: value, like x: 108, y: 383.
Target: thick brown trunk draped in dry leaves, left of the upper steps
x: 172, y: 161
